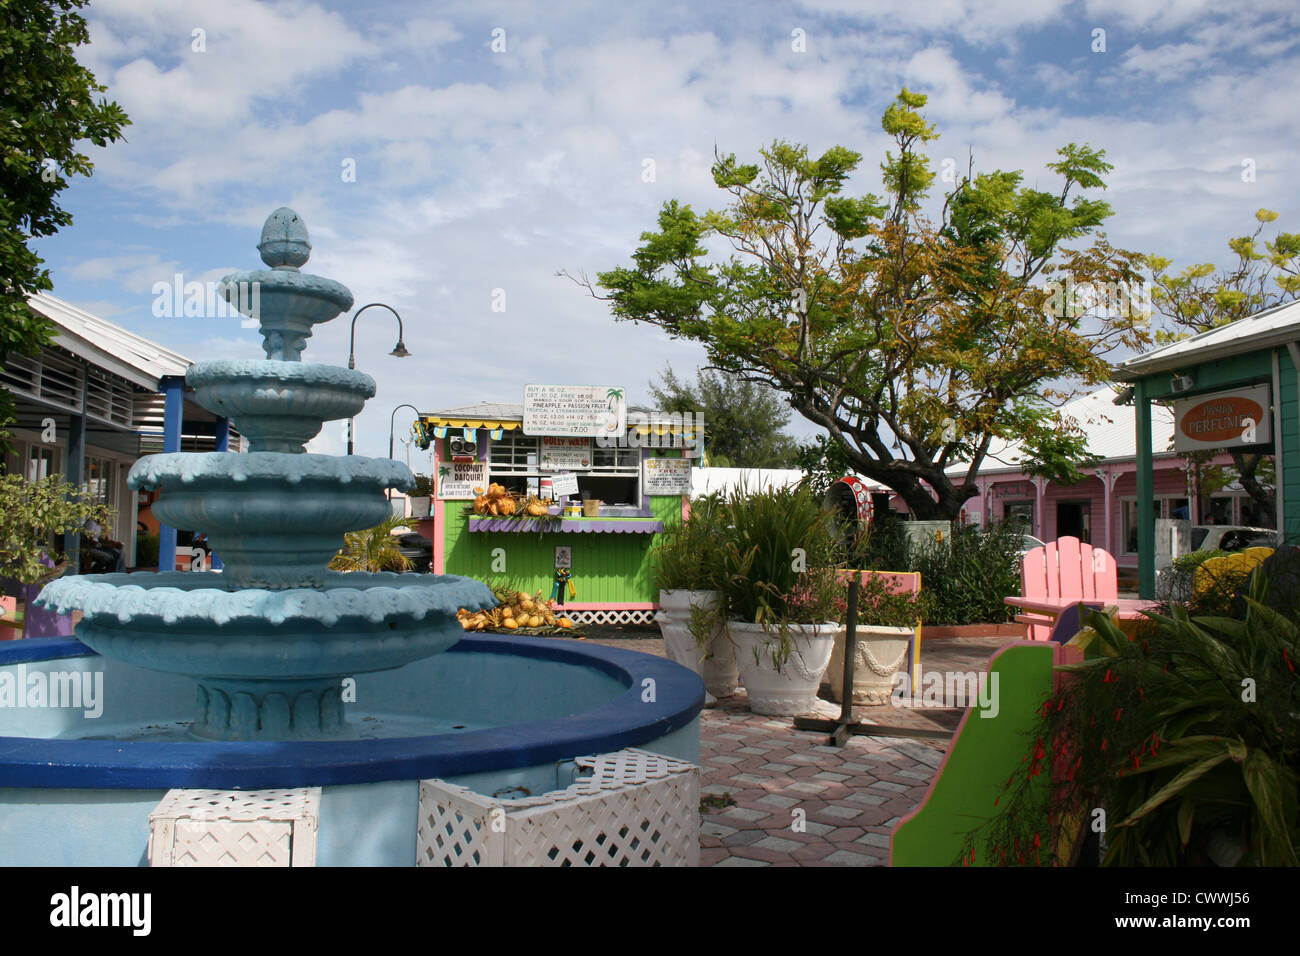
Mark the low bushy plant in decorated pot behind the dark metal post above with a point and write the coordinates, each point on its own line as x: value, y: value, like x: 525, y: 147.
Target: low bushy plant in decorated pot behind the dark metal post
x: 887, y: 624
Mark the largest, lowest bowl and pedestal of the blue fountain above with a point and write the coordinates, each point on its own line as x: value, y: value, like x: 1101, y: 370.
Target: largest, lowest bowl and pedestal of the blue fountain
x: 270, y: 664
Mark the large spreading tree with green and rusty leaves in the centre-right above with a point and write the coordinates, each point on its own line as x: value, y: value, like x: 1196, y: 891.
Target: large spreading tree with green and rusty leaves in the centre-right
x: 913, y: 344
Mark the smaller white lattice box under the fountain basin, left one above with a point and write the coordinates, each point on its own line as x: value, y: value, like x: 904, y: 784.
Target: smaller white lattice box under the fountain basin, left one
x: 219, y: 828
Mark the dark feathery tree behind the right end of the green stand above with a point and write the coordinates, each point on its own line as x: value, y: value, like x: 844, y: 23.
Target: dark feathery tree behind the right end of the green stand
x: 744, y: 422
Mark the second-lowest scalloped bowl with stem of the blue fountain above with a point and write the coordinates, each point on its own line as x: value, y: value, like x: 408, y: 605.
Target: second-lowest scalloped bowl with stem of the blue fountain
x: 275, y: 518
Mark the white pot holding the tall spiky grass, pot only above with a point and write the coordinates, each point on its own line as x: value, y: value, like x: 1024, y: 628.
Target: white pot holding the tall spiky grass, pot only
x: 788, y: 691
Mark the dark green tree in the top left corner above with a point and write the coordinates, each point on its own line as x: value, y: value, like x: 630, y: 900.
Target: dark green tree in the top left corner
x: 47, y: 109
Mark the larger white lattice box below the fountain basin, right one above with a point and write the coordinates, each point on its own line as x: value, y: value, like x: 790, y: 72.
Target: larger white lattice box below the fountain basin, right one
x: 631, y: 810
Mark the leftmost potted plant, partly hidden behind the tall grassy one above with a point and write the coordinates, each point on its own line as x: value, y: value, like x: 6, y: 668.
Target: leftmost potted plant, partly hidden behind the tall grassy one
x: 686, y: 565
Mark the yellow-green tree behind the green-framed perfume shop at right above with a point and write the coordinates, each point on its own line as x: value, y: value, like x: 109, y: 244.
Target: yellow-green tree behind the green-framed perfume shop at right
x: 1203, y: 297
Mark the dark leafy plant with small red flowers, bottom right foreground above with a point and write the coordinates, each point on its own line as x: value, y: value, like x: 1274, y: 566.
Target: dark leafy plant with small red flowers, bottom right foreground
x: 1185, y: 736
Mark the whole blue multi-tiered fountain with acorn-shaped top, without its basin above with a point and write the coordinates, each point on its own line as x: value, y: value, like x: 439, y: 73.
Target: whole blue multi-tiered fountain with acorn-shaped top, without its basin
x: 274, y: 637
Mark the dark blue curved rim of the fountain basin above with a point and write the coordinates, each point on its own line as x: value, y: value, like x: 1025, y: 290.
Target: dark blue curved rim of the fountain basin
x: 626, y: 721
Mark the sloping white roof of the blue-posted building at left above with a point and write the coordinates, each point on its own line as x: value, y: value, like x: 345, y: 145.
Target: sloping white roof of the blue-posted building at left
x: 110, y: 347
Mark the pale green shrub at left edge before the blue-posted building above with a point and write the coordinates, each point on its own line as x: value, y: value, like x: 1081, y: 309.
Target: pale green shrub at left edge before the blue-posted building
x: 33, y: 514
